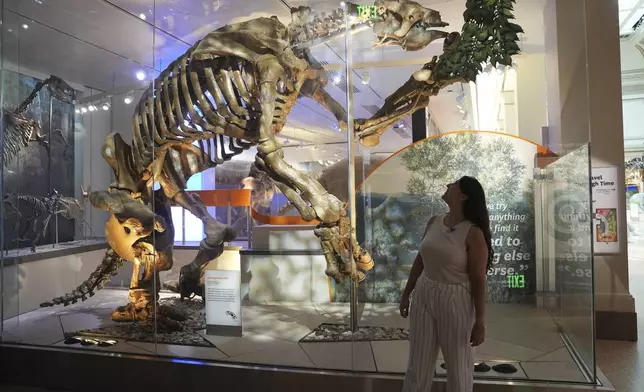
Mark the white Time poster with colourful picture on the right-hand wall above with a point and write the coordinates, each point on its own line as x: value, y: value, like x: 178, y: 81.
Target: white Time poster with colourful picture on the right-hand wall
x: 605, y: 197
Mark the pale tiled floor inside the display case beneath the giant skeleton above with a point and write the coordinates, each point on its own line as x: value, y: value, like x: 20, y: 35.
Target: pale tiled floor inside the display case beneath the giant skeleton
x: 523, y: 335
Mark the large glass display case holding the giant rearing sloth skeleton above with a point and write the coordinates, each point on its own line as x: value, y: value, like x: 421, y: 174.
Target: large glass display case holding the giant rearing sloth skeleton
x: 211, y: 177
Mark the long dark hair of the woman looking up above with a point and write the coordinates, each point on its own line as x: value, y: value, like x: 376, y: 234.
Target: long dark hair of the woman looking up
x: 475, y: 211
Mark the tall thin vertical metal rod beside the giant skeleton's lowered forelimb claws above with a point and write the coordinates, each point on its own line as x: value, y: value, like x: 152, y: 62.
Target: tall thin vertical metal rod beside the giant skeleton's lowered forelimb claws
x: 353, y: 306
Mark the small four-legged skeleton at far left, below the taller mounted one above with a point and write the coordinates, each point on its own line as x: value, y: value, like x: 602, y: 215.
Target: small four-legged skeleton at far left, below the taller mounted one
x: 39, y: 210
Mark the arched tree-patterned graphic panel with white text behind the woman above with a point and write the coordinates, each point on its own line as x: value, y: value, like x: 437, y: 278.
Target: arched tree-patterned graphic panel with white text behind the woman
x: 405, y: 191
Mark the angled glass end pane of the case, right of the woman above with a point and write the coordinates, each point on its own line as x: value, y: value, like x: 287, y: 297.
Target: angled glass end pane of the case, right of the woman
x: 569, y: 237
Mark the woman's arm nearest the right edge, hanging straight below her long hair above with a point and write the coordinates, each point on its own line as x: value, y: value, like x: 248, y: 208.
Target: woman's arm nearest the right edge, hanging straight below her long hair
x: 477, y: 269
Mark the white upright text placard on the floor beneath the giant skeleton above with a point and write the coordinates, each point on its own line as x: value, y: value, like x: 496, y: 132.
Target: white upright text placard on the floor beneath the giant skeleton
x: 223, y: 302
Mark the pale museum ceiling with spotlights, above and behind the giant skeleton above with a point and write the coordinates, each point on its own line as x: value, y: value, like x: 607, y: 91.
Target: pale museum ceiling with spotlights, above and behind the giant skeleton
x: 102, y: 45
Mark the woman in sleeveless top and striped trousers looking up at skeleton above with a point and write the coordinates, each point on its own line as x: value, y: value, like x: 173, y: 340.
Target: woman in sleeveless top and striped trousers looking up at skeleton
x: 448, y: 303
